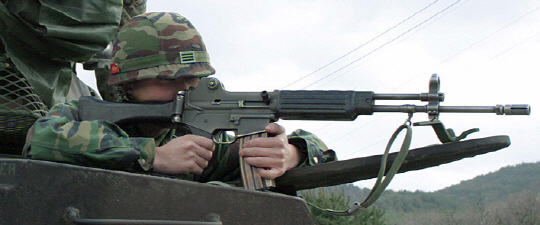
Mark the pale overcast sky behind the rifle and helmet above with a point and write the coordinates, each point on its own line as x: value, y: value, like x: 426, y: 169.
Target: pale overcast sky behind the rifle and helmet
x: 485, y: 52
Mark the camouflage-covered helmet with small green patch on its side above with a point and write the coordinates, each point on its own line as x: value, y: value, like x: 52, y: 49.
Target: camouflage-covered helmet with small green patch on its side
x: 158, y: 45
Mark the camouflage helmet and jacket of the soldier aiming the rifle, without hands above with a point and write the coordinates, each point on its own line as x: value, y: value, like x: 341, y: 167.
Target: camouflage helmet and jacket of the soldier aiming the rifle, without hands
x: 156, y: 52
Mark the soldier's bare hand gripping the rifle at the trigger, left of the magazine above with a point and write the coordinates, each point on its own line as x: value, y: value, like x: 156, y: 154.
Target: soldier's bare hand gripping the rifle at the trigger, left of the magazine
x: 182, y: 155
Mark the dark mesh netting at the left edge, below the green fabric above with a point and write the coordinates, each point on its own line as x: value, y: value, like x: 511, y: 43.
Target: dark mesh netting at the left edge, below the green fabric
x: 20, y: 106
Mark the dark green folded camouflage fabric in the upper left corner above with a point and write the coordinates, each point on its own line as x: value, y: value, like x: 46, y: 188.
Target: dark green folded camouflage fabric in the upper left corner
x: 60, y: 33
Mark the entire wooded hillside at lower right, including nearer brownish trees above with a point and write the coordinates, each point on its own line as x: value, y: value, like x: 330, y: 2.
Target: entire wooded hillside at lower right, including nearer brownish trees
x: 492, y: 198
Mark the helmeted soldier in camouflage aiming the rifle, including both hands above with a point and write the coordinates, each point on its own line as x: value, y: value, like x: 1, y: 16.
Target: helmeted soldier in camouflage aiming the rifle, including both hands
x: 150, y: 65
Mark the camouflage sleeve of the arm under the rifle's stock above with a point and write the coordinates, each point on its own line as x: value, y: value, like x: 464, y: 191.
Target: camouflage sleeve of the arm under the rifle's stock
x: 62, y: 137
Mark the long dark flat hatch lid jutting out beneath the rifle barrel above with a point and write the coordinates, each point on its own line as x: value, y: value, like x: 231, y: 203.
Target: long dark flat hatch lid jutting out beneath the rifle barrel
x: 347, y: 171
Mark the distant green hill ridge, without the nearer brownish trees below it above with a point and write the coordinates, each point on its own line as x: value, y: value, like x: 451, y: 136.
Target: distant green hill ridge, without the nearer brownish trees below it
x: 491, y: 188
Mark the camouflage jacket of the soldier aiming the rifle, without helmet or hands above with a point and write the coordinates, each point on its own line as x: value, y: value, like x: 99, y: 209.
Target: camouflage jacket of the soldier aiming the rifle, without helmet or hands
x: 62, y: 137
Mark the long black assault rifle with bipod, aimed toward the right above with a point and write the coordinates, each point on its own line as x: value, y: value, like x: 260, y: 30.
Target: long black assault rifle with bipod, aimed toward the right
x: 209, y: 110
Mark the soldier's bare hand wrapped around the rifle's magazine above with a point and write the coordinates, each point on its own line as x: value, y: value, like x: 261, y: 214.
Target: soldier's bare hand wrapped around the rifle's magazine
x: 273, y: 155
